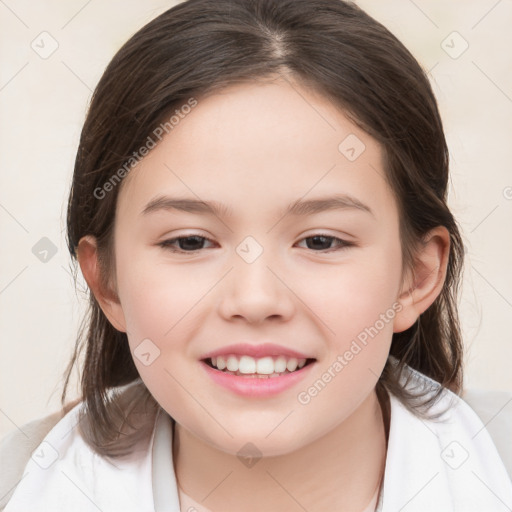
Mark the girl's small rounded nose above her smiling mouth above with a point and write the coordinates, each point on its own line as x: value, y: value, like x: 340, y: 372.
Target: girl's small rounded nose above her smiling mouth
x: 256, y: 291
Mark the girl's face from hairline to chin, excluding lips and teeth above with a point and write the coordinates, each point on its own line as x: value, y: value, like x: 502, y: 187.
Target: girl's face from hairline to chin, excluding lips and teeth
x: 259, y: 275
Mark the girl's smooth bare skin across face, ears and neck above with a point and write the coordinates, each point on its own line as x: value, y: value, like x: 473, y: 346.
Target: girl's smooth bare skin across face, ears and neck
x: 256, y: 148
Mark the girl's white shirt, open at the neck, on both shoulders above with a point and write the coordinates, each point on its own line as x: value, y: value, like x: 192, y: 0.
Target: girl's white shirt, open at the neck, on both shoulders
x: 431, y: 466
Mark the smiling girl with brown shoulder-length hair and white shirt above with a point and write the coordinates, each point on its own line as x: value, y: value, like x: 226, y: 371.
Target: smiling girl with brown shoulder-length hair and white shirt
x: 259, y: 209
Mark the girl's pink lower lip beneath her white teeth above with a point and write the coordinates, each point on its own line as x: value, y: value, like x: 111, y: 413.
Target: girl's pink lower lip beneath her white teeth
x: 256, y: 386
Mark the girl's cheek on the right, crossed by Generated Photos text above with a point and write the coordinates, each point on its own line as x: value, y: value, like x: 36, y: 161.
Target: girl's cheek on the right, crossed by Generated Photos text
x: 356, y: 310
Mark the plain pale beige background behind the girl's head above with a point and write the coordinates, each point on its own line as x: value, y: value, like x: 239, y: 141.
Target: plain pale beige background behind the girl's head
x: 42, y: 107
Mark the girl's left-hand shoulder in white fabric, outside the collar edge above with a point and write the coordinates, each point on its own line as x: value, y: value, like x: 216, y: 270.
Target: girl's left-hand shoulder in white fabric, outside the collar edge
x: 52, y: 468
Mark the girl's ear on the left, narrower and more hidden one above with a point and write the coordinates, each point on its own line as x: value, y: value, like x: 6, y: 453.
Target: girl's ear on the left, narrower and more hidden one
x: 107, y: 297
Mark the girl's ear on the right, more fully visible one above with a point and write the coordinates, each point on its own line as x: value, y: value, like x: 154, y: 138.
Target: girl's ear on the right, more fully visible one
x: 425, y: 281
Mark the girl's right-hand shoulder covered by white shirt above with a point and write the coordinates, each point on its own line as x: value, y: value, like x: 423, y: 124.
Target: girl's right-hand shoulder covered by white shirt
x: 450, y: 455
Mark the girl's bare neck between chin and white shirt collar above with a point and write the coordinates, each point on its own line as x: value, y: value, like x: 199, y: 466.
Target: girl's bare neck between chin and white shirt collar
x: 339, y: 471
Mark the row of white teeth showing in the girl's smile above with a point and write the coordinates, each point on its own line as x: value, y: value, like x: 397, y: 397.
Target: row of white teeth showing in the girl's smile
x: 263, y: 366
